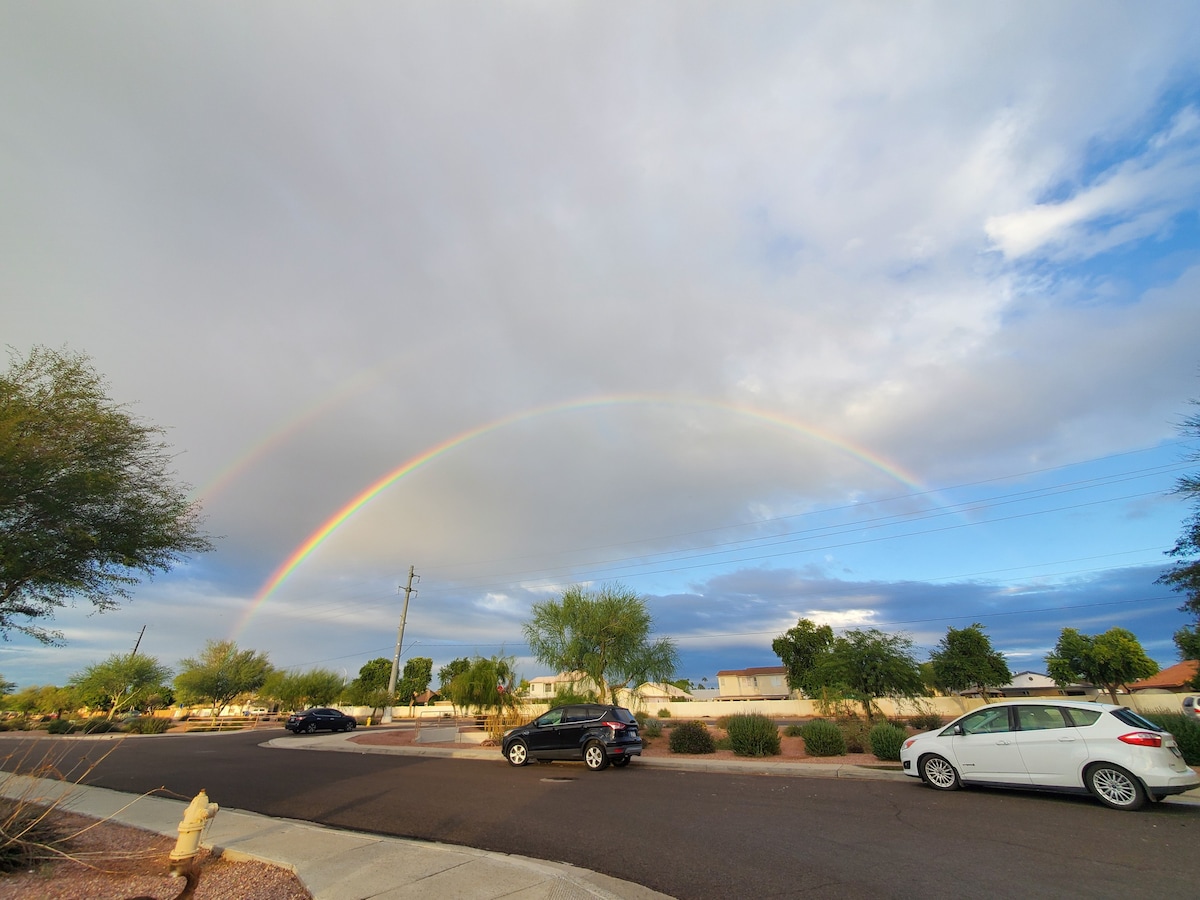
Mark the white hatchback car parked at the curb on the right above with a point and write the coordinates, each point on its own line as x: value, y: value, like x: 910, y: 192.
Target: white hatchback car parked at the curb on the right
x: 1057, y: 746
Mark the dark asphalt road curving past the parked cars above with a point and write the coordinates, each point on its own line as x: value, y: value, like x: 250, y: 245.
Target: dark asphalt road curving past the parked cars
x: 686, y: 835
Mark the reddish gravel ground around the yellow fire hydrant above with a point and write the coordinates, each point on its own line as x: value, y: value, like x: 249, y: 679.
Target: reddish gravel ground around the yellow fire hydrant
x: 116, y: 861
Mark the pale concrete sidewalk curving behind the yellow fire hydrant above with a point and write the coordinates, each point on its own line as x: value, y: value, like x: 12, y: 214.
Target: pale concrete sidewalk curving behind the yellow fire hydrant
x: 343, y: 866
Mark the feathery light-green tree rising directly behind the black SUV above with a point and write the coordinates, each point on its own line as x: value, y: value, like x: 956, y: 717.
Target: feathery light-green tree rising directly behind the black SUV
x: 603, y: 634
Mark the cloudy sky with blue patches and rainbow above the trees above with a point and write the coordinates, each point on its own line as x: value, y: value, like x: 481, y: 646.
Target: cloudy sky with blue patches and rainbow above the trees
x: 873, y: 314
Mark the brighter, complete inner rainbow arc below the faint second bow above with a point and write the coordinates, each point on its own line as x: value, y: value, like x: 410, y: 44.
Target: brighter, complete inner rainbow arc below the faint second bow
x: 374, y: 490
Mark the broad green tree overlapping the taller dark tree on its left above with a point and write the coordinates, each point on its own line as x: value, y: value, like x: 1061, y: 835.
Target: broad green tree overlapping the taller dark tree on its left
x: 871, y: 665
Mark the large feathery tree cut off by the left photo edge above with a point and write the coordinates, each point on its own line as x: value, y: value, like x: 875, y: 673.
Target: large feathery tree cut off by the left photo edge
x: 88, y: 500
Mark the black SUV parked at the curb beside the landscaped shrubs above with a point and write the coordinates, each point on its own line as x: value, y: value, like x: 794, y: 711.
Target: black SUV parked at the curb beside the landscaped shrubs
x: 592, y: 733
